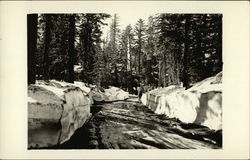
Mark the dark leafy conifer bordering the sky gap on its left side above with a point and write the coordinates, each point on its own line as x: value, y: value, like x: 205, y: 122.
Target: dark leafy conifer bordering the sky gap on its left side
x: 90, y: 41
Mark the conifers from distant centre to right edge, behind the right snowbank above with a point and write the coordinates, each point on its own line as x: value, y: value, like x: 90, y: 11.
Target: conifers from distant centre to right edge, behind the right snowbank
x: 169, y: 49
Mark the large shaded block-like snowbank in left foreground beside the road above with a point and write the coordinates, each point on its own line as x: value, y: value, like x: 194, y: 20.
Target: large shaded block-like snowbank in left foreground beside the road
x: 55, y: 110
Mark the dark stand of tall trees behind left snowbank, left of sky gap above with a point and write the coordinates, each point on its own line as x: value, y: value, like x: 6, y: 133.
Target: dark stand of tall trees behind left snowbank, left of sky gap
x: 65, y: 40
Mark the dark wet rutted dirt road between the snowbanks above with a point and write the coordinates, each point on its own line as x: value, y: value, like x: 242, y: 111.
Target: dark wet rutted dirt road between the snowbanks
x: 130, y: 125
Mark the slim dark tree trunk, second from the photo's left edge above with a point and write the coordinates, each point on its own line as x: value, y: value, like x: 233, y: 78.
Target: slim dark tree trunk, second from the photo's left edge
x: 46, y: 50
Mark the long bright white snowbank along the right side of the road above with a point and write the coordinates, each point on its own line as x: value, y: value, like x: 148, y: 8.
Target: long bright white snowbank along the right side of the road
x: 200, y: 104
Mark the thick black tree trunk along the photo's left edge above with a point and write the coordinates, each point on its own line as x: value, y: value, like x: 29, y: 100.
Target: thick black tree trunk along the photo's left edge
x: 32, y: 42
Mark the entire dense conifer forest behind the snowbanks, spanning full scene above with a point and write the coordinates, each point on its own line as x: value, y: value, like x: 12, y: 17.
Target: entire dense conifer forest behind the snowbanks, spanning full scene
x: 169, y: 49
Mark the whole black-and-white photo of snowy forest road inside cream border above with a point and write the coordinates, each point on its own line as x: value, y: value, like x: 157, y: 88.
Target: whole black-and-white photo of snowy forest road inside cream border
x: 118, y: 81
